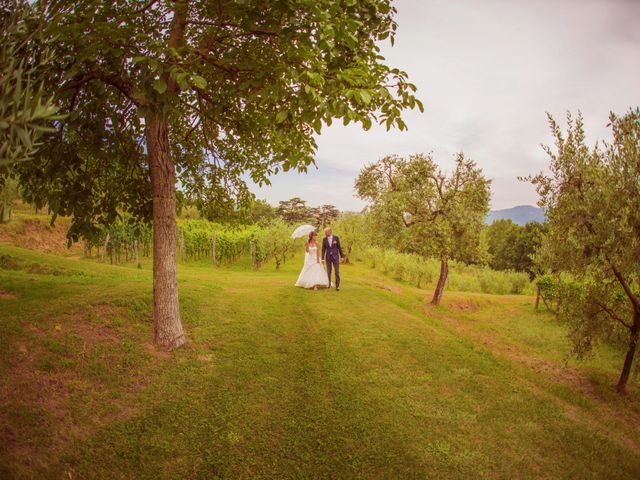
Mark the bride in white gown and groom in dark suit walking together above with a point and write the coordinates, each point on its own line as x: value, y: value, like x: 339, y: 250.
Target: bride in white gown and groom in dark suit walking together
x: 313, y: 274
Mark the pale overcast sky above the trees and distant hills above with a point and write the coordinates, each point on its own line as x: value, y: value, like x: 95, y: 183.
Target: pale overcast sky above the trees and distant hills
x: 487, y: 71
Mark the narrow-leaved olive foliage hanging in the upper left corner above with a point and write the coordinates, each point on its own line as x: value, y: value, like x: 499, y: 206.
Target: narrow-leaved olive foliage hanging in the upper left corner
x: 26, y: 112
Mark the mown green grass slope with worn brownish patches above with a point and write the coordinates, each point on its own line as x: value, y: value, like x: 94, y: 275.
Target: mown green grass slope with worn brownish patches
x: 277, y: 382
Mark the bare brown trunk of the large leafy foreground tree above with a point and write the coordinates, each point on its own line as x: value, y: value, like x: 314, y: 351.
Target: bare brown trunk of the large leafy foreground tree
x: 166, y: 311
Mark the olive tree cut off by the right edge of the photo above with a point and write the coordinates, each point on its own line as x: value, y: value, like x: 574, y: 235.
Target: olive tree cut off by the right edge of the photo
x: 593, y: 201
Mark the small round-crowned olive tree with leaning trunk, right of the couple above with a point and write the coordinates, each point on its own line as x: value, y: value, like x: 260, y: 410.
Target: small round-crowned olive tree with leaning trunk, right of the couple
x: 422, y: 210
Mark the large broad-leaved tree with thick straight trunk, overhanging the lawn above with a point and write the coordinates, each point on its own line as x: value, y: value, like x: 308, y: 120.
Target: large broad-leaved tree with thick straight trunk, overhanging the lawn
x: 207, y: 94
